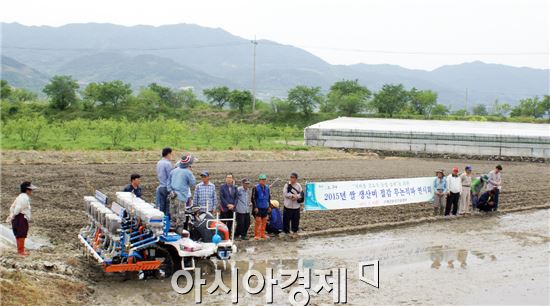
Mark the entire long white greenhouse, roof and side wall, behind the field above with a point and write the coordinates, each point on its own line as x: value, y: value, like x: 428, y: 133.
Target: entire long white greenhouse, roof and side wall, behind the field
x: 432, y: 136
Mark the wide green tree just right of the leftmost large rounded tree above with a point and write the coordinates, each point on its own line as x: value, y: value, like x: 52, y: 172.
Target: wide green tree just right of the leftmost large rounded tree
x: 113, y: 93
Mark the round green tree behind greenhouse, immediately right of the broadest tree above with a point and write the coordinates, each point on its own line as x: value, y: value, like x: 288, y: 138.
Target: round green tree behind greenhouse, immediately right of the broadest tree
x: 390, y: 99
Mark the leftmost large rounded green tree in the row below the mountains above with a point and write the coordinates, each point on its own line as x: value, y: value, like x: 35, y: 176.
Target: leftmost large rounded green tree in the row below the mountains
x: 62, y: 91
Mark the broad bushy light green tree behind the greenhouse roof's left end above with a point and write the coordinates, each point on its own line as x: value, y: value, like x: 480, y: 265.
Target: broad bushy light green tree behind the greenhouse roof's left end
x: 348, y: 97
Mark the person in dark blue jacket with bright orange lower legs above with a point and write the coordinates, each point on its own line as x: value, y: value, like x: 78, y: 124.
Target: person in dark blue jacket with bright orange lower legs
x: 261, y: 197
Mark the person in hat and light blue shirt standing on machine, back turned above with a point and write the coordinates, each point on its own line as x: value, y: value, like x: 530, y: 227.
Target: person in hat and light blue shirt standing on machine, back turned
x: 179, y: 185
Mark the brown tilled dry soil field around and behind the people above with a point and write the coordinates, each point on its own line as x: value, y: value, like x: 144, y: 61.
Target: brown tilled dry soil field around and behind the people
x: 58, y: 213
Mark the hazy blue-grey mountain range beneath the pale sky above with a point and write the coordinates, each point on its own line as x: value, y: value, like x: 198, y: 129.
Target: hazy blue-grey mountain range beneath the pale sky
x: 187, y: 55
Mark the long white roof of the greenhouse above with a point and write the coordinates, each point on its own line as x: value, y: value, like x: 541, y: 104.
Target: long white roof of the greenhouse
x: 435, y: 126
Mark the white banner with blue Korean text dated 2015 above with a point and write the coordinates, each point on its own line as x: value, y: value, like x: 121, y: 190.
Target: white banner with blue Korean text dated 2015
x: 371, y: 193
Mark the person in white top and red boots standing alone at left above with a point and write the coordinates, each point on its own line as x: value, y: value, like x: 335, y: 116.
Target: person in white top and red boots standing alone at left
x: 20, y: 215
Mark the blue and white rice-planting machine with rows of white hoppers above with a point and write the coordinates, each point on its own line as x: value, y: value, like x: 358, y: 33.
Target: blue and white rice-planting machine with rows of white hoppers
x: 132, y: 235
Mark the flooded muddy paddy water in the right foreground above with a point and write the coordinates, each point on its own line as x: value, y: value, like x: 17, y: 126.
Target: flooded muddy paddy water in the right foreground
x: 500, y: 259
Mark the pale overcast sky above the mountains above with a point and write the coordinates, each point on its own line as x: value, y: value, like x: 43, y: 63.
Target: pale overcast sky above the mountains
x: 418, y: 34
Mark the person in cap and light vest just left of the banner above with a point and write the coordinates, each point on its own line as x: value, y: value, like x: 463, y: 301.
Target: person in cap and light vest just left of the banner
x: 292, y: 193
